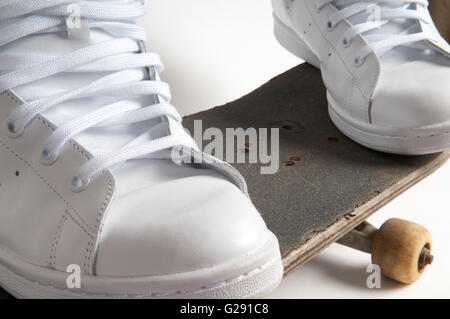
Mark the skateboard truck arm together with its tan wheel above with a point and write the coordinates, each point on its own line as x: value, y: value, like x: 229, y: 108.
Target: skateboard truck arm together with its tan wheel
x: 401, y: 248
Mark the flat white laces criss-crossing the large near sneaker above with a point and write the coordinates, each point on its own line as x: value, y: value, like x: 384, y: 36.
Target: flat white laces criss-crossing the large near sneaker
x: 121, y: 57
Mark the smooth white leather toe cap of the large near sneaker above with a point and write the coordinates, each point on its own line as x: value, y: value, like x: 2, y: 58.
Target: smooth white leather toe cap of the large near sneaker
x: 179, y: 226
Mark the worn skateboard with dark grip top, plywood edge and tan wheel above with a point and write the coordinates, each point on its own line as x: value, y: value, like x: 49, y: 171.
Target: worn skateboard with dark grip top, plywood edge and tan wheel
x: 327, y: 185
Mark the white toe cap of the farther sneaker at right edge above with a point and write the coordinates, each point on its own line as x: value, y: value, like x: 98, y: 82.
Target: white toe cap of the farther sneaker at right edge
x: 413, y: 94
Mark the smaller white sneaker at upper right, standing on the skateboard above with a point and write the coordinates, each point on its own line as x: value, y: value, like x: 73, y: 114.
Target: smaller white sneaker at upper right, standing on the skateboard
x: 384, y: 64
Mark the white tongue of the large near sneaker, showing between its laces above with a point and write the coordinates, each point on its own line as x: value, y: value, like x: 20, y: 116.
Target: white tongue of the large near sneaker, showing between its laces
x: 143, y: 172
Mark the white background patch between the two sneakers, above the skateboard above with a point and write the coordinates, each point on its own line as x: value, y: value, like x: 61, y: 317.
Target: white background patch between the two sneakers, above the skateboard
x: 214, y: 51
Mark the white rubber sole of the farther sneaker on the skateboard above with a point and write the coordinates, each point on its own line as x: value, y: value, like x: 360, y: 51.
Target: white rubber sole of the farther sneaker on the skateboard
x: 405, y: 141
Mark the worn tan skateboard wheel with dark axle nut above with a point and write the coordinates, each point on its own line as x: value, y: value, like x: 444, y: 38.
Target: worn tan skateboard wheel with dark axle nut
x: 402, y: 249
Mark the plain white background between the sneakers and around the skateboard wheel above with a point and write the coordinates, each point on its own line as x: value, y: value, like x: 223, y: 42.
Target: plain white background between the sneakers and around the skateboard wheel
x: 215, y: 51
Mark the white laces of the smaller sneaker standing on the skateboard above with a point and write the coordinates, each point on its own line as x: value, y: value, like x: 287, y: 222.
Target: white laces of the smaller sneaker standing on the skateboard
x: 388, y: 10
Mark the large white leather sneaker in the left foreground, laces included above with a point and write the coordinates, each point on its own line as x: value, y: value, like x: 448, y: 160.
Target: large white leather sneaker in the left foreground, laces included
x: 87, y: 180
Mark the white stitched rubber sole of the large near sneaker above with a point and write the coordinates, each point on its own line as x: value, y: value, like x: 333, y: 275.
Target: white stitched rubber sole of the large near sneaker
x: 251, y: 276
